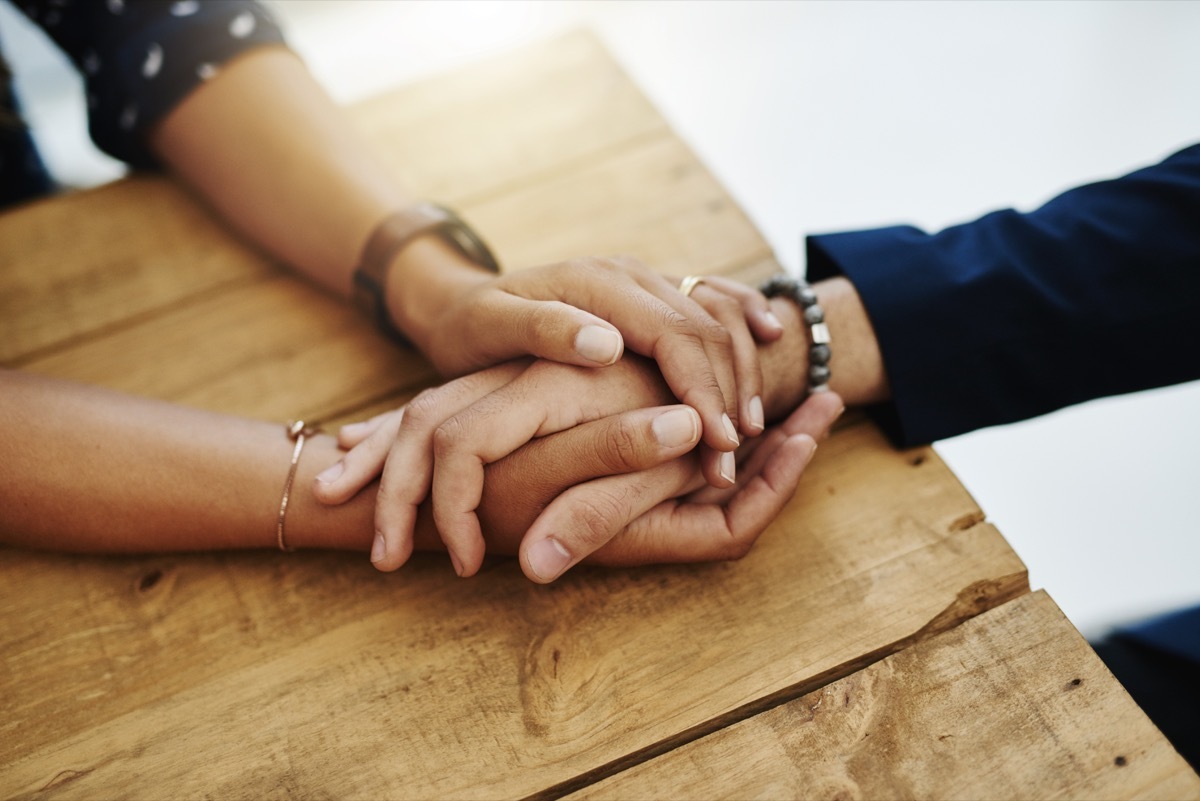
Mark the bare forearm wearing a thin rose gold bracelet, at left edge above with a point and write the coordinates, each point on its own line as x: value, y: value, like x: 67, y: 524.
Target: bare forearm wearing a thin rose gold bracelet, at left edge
x: 93, y: 471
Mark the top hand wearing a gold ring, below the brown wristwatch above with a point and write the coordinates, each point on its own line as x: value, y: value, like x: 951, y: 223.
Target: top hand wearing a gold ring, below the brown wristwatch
x: 586, y: 311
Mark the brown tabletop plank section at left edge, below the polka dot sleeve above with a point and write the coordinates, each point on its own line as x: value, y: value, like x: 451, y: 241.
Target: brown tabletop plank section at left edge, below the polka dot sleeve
x: 85, y: 263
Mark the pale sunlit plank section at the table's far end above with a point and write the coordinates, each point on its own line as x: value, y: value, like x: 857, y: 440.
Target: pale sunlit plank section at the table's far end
x: 509, y: 121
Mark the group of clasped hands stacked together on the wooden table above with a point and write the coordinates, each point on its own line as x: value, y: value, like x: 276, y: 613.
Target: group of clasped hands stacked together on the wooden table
x: 440, y: 445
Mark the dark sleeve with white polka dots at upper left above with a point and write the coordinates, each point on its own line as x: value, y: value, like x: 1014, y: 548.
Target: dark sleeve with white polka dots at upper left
x: 140, y: 58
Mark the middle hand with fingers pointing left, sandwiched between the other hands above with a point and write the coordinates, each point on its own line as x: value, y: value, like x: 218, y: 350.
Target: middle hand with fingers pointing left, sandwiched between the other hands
x: 448, y: 435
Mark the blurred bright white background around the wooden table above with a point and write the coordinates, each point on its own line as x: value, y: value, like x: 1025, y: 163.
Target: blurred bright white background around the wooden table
x: 824, y: 117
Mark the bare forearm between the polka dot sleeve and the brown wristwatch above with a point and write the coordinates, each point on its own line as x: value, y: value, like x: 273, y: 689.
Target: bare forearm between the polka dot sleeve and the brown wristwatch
x: 275, y: 156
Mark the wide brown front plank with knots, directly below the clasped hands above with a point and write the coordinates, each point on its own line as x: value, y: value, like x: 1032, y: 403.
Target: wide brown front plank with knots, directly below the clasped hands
x: 237, y: 676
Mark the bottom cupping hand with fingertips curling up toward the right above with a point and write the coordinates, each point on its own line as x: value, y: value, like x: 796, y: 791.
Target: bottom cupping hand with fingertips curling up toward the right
x: 572, y: 497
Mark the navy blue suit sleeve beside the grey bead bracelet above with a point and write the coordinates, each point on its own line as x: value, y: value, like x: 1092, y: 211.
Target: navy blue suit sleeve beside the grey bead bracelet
x: 1012, y: 316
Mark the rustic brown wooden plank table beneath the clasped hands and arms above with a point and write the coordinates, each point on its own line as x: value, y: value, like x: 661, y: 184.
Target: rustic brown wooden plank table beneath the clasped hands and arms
x: 881, y: 641
